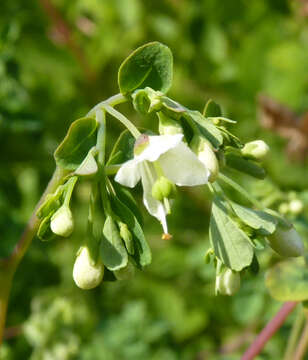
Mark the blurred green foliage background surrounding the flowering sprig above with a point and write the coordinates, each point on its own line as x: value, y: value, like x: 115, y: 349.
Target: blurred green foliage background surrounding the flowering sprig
x: 58, y: 58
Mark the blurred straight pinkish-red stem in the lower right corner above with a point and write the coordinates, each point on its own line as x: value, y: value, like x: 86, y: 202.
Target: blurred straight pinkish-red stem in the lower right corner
x: 269, y: 330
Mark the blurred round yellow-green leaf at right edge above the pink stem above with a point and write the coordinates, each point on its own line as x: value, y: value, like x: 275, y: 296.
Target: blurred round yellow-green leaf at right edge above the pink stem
x: 288, y: 281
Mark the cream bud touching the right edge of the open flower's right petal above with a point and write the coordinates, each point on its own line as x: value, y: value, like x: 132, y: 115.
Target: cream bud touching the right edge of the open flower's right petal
x: 204, y: 150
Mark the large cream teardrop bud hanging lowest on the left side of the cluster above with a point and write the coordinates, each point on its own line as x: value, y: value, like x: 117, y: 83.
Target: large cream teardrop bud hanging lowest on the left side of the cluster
x: 87, y: 275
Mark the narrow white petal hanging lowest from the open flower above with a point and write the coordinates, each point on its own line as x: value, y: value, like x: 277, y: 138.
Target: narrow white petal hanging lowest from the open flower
x: 154, y: 207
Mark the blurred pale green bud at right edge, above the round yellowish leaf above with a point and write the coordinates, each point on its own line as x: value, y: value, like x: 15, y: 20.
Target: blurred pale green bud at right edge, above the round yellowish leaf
x: 286, y: 243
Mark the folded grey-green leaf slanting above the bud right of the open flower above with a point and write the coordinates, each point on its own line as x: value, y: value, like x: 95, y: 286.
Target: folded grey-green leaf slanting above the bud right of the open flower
x: 208, y: 130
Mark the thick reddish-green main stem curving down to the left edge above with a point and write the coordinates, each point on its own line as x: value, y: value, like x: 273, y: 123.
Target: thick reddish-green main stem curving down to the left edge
x: 9, y: 265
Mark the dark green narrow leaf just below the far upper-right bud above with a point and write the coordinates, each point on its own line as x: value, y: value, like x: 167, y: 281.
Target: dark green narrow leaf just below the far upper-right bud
x: 245, y: 166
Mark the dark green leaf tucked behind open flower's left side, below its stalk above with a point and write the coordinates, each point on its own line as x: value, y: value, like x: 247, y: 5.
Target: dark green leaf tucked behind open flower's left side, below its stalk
x: 123, y: 149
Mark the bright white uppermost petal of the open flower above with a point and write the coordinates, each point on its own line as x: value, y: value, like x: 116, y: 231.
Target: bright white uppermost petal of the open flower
x: 158, y: 145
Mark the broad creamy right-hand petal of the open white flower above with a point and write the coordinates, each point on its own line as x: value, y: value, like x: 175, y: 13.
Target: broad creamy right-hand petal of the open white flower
x: 181, y: 166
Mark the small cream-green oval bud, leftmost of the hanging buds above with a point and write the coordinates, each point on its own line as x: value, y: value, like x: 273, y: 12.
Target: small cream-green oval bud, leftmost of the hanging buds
x: 62, y: 223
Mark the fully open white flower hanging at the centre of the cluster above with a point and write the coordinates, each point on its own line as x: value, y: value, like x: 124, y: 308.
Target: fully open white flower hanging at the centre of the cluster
x: 156, y: 156
